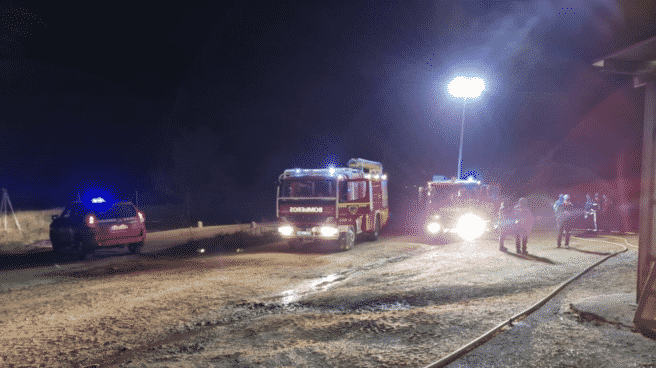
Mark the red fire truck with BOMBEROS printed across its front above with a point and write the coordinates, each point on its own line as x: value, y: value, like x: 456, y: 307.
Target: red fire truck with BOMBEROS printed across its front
x: 335, y: 203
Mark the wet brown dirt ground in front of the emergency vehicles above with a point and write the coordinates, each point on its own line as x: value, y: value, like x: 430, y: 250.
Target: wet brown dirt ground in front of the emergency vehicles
x: 391, y: 303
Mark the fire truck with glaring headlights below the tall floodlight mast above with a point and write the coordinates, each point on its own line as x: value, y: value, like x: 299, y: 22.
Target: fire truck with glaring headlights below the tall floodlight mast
x: 449, y: 207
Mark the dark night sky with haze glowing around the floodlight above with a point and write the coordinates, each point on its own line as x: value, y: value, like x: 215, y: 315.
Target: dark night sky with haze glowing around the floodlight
x: 215, y: 99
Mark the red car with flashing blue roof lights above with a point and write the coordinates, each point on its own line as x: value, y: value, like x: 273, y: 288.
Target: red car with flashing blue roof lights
x: 83, y: 228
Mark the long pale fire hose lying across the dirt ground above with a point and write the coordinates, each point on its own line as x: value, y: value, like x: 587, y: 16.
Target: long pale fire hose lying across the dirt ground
x: 491, y: 333
